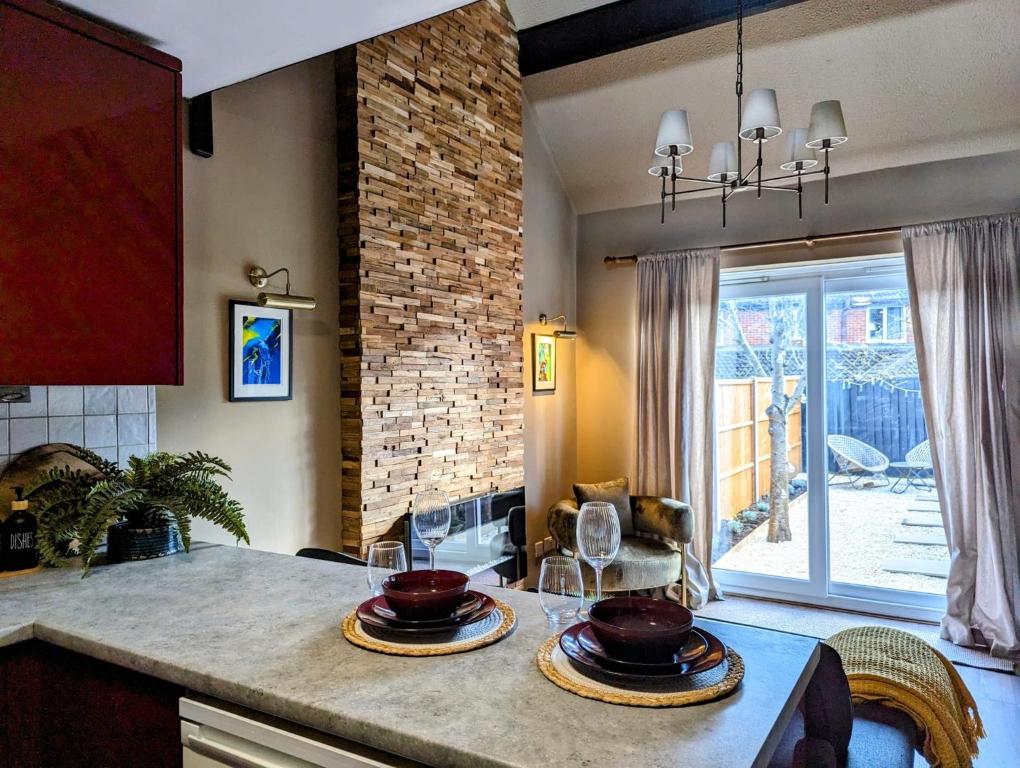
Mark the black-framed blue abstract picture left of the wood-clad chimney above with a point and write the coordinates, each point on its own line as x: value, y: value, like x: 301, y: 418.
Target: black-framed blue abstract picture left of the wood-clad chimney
x: 262, y: 353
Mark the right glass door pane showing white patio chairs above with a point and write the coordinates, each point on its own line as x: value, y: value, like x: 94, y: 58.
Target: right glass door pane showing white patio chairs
x: 885, y: 527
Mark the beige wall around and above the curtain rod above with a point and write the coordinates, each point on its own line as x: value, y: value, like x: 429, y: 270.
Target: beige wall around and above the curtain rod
x: 607, y: 296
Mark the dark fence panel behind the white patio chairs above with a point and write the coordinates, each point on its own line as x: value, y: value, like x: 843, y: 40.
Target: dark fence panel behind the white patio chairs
x: 888, y: 419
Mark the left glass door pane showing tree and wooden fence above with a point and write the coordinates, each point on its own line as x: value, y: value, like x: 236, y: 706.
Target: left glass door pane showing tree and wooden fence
x: 761, y: 431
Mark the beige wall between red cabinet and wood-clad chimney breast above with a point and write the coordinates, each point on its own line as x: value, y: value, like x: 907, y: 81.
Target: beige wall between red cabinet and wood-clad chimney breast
x: 268, y: 196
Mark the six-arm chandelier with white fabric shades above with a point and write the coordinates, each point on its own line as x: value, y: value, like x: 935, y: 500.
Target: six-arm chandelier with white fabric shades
x: 757, y: 122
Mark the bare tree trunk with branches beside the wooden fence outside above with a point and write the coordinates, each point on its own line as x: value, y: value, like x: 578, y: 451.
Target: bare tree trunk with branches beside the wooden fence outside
x: 786, y: 318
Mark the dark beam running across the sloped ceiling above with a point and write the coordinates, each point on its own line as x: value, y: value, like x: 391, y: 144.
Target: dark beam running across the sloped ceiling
x: 626, y: 24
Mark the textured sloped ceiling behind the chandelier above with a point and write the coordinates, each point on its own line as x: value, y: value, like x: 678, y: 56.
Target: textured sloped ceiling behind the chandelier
x: 920, y: 81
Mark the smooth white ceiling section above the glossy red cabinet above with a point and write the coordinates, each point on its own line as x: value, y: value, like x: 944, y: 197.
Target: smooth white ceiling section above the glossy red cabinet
x: 222, y: 42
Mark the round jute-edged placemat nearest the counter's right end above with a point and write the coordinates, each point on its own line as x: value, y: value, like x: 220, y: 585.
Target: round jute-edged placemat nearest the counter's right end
x: 698, y: 689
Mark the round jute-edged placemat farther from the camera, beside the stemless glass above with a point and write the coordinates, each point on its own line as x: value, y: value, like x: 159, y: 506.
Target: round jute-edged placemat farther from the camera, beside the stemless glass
x: 491, y: 630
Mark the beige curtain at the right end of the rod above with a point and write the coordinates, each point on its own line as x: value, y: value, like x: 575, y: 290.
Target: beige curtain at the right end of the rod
x: 965, y: 296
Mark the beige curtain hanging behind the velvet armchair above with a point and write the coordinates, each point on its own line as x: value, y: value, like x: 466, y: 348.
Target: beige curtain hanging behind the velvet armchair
x: 679, y: 299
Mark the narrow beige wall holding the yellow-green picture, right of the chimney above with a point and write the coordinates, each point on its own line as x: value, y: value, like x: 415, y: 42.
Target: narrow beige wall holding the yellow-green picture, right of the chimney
x: 550, y: 280
